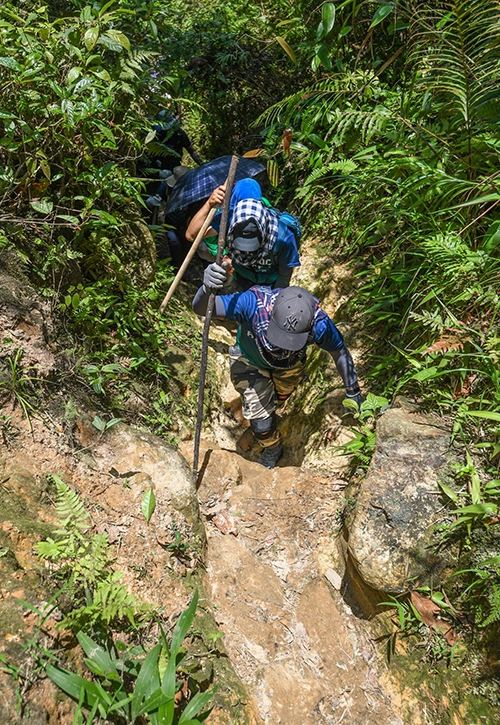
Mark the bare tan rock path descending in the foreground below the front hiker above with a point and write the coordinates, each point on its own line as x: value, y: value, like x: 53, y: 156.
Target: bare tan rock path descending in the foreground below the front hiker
x: 293, y: 639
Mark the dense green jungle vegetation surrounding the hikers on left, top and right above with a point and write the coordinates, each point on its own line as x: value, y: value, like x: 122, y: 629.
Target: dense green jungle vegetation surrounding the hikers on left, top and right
x: 379, y: 122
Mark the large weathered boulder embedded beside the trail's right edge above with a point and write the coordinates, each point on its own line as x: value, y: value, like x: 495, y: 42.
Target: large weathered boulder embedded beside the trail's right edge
x: 390, y: 532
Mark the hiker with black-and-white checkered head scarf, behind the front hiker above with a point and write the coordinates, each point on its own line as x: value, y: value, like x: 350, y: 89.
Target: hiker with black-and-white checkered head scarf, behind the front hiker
x: 262, y: 248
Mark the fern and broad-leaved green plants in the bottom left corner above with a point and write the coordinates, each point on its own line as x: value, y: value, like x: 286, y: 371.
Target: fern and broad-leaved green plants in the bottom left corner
x: 128, y: 669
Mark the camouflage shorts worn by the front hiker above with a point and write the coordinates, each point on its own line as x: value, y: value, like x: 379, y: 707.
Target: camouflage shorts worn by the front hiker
x: 259, y: 387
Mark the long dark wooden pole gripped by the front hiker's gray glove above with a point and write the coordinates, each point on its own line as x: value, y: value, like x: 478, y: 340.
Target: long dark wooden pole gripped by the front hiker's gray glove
x: 208, y: 314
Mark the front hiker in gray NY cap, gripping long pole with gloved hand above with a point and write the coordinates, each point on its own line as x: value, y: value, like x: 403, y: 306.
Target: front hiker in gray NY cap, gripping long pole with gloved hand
x: 267, y: 361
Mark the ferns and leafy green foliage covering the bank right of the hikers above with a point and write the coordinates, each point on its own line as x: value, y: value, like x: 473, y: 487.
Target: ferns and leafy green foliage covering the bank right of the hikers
x: 394, y: 151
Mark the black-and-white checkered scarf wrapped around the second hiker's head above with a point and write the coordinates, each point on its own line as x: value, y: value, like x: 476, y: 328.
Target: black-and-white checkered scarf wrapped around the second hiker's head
x: 267, y: 224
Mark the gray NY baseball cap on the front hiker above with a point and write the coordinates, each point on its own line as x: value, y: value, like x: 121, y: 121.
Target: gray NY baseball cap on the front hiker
x: 291, y: 319
